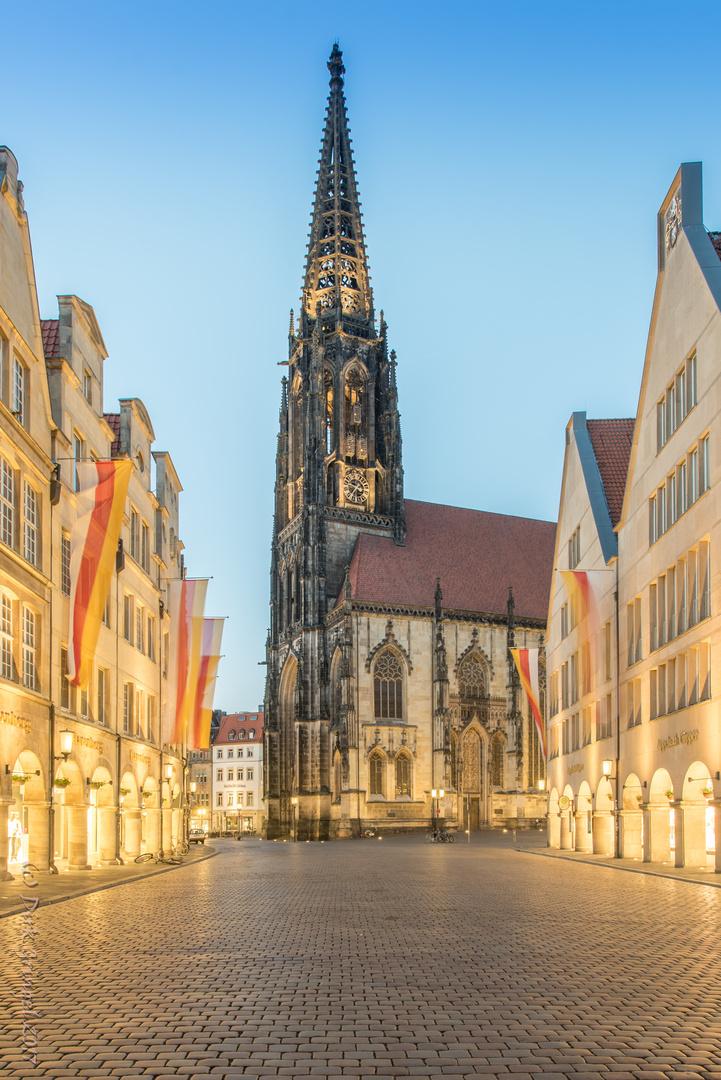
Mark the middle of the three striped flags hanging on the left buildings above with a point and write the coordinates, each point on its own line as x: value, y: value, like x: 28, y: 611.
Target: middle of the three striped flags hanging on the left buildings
x: 187, y: 599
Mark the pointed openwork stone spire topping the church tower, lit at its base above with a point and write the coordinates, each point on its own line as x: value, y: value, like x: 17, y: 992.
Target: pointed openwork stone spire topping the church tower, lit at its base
x: 337, y: 268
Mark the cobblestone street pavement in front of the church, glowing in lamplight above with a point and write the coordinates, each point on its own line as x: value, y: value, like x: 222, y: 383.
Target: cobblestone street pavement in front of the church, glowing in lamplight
x: 374, y: 960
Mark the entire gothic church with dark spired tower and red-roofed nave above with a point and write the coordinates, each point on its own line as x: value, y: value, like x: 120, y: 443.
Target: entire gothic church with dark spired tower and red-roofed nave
x: 389, y: 673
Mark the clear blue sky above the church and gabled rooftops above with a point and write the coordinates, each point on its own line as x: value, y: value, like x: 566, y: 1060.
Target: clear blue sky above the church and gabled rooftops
x: 511, y: 159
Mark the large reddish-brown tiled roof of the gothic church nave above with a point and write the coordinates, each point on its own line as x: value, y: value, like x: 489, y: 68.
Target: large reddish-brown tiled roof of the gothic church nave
x: 478, y: 557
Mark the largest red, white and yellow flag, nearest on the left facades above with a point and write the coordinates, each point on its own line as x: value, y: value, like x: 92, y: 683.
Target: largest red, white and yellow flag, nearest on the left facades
x: 101, y: 499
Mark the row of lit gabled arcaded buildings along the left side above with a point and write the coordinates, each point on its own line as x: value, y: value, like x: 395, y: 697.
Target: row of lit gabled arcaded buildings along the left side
x: 119, y: 790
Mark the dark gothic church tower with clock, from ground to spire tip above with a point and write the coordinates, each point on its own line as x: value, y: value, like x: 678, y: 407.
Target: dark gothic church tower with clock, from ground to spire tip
x: 339, y: 474
